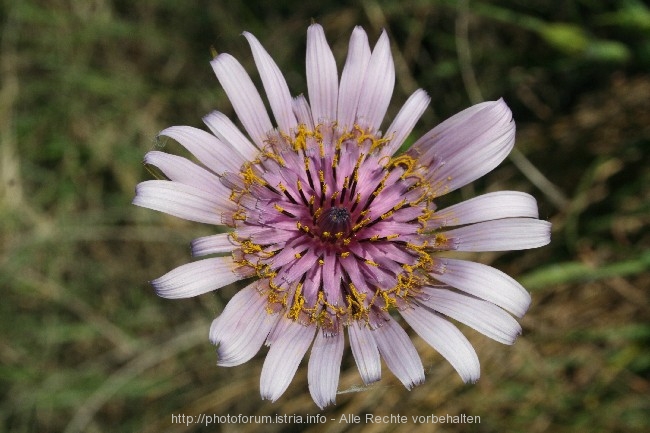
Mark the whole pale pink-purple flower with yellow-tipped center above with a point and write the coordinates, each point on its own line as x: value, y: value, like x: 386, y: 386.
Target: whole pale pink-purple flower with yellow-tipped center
x: 335, y: 230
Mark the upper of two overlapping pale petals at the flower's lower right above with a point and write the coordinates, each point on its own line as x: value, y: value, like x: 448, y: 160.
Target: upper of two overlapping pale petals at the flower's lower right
x: 484, y: 282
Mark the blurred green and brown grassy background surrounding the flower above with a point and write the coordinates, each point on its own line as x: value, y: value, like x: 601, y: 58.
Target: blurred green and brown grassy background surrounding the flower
x: 86, y: 85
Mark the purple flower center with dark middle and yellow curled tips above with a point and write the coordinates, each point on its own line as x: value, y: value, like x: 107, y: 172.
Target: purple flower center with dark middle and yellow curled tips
x: 331, y: 227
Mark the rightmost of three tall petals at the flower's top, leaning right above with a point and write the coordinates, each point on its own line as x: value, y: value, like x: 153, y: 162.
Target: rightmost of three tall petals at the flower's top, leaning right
x: 378, y: 86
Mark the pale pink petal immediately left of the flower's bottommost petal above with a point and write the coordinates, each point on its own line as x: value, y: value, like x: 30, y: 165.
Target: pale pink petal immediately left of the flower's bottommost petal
x: 285, y: 354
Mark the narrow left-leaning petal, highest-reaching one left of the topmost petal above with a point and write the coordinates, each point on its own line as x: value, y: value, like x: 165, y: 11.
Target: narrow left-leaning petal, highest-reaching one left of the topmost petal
x: 275, y: 85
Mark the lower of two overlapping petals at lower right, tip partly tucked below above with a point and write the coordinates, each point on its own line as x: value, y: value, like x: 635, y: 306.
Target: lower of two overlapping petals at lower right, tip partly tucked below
x: 483, y: 316
